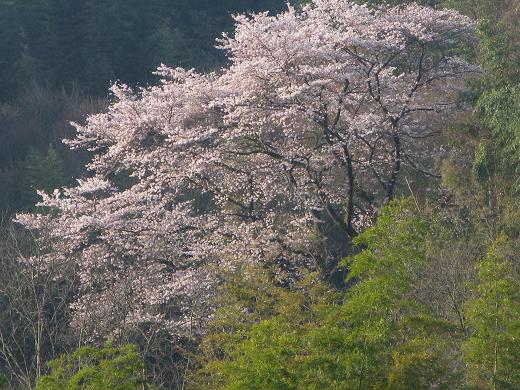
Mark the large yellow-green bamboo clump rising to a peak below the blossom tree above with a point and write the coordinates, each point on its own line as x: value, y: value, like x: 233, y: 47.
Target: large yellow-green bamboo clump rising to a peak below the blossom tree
x: 372, y: 336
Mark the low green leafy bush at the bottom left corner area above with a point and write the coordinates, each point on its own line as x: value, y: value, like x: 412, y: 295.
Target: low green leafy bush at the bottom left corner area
x: 115, y: 368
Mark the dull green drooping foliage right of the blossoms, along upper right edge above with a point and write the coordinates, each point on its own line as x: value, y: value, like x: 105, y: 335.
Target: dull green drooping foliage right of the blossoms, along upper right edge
x: 484, y: 166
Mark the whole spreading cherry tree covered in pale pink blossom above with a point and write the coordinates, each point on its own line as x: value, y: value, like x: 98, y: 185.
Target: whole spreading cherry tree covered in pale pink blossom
x: 302, y: 138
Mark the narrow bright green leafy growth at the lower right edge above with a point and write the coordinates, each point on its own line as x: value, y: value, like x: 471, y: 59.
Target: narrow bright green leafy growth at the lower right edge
x: 492, y: 352
